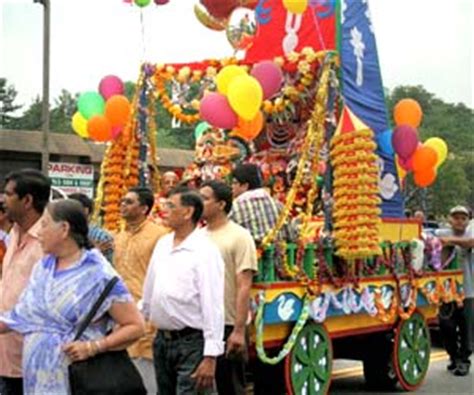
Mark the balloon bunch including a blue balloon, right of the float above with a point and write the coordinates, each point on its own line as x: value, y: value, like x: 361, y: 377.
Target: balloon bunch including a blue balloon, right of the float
x: 423, y: 159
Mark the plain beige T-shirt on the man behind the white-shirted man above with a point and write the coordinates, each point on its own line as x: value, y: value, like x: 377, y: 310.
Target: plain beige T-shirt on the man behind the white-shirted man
x: 238, y: 251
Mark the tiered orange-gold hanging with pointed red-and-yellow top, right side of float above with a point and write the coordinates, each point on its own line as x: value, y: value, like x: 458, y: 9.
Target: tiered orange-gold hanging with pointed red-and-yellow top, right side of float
x: 356, y: 212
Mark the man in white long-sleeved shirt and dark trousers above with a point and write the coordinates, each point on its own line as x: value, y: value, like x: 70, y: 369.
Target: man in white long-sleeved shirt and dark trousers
x: 183, y: 296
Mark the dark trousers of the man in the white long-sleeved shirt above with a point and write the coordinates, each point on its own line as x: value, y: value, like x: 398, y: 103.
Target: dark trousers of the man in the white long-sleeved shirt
x: 175, y: 361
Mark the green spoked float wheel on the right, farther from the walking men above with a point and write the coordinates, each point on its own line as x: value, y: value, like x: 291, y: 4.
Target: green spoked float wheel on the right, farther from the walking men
x: 412, y: 348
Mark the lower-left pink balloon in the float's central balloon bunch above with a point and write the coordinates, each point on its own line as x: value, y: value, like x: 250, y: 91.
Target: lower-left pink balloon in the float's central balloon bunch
x: 216, y: 111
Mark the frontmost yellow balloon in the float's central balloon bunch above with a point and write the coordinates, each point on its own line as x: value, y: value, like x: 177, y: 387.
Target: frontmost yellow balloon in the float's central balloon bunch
x: 245, y: 96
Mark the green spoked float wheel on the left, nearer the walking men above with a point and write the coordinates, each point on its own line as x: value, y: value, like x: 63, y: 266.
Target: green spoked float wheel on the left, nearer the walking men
x: 309, y: 365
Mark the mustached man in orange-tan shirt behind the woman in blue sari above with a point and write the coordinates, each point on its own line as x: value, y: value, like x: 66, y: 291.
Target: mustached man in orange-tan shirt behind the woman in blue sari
x: 133, y: 249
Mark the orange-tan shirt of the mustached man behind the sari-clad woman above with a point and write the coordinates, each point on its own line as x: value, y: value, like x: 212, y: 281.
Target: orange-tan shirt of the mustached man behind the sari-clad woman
x: 132, y: 254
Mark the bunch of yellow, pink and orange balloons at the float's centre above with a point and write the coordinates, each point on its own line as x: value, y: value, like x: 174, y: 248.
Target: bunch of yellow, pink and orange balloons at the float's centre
x: 236, y: 104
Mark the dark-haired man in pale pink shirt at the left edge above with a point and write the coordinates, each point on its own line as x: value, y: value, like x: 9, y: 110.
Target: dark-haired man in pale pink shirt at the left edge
x: 26, y: 195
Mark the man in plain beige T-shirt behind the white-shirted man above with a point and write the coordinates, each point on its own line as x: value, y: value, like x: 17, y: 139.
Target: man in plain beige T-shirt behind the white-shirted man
x: 238, y: 251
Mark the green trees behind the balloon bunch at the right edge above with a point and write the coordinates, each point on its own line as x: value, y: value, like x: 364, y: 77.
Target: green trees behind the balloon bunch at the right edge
x: 455, y: 124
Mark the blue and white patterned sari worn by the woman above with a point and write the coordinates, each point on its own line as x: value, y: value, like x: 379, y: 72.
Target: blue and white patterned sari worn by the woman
x: 49, y: 312
